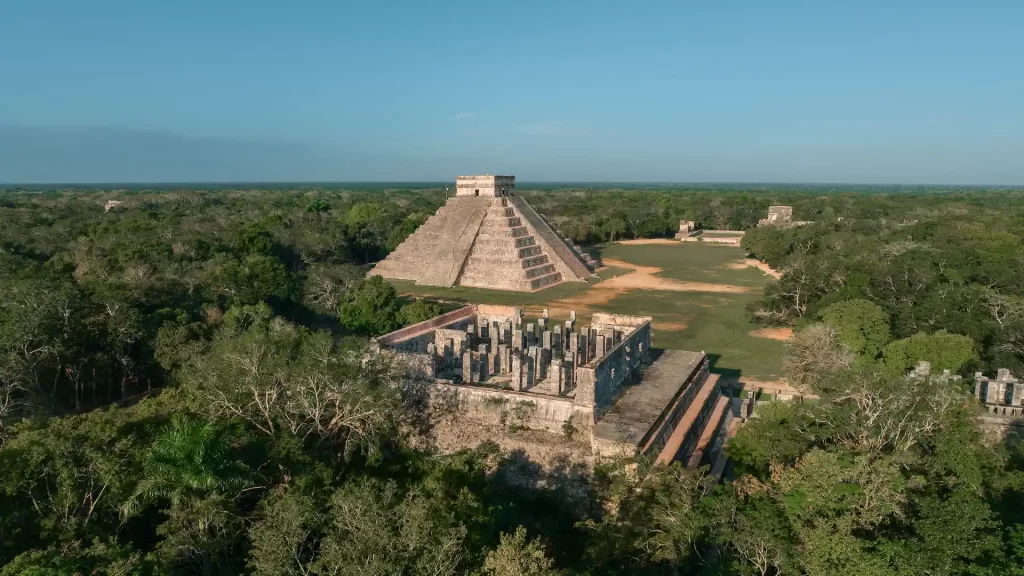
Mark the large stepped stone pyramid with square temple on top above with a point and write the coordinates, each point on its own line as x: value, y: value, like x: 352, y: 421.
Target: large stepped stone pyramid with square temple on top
x: 487, y: 238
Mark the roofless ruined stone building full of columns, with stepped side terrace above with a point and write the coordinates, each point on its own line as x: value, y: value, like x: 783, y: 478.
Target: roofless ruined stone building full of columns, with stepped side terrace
x: 604, y: 379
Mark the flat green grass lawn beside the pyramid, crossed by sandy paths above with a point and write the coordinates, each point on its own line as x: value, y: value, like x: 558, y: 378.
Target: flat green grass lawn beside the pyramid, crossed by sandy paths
x: 714, y: 322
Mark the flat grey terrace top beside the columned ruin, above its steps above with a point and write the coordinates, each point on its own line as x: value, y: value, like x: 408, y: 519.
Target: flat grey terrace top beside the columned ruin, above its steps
x: 645, y: 410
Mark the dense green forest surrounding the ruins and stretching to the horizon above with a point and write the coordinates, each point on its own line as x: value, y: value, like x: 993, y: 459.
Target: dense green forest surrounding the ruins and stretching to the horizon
x: 185, y: 390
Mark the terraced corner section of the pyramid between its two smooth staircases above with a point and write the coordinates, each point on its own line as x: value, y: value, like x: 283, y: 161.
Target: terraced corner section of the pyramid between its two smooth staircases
x: 506, y: 256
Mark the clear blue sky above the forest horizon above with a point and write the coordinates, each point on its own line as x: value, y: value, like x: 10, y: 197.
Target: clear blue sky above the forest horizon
x: 893, y: 92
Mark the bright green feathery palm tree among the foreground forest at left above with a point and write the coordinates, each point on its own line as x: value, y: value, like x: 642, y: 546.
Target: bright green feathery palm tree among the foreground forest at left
x: 189, y: 462
